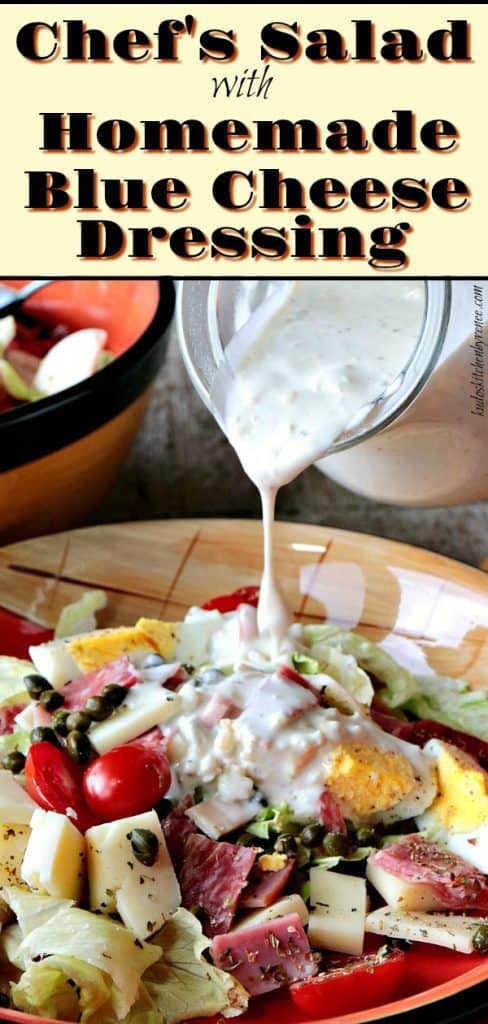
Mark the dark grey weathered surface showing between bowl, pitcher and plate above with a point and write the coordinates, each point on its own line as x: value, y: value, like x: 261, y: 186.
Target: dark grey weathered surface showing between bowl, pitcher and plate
x: 183, y: 466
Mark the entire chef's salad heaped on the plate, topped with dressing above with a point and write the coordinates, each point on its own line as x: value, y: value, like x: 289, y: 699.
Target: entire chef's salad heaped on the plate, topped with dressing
x: 187, y: 824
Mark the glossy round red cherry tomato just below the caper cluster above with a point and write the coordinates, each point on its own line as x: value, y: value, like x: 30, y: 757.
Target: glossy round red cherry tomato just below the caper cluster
x: 127, y: 781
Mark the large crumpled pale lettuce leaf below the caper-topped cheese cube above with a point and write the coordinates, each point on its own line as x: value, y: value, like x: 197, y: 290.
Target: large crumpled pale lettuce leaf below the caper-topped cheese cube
x: 56, y: 928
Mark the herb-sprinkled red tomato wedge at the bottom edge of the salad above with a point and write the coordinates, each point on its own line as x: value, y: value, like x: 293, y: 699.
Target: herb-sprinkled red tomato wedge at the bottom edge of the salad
x: 362, y: 985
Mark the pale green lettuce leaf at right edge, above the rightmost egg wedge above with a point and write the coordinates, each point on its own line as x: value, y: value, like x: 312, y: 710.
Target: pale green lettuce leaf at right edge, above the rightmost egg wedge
x: 452, y: 703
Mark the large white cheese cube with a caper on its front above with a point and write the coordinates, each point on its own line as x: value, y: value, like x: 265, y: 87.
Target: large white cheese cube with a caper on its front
x: 145, y: 898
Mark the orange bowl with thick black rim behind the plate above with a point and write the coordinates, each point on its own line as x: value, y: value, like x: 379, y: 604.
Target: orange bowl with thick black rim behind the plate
x: 59, y: 455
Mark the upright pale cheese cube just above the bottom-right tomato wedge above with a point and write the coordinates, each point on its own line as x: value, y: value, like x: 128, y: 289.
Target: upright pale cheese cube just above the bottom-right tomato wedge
x: 340, y: 911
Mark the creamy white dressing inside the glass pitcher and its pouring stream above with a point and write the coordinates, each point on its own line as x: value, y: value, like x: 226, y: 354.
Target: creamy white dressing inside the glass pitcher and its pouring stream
x: 307, y: 365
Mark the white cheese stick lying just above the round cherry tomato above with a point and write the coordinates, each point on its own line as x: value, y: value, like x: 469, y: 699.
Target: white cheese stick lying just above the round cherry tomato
x: 144, y: 708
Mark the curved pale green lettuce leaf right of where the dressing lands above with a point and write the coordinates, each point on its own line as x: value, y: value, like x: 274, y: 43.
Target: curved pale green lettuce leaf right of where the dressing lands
x: 400, y: 687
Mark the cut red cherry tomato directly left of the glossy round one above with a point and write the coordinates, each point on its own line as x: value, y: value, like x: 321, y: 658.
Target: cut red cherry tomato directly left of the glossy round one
x: 55, y: 782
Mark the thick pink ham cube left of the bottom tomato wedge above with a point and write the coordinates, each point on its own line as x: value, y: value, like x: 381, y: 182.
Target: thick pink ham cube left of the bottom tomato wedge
x: 267, y: 957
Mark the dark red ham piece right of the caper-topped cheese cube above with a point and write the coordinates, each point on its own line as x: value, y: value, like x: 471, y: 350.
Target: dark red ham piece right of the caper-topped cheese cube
x: 212, y: 878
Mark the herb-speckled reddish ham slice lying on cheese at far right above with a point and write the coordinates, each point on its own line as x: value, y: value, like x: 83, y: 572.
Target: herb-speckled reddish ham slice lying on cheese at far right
x: 455, y: 883
